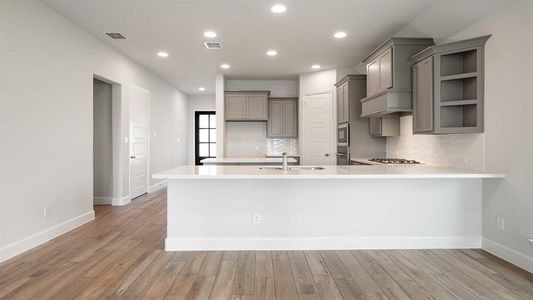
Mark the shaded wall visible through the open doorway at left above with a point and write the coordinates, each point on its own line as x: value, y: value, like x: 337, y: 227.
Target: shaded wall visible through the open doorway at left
x: 102, y: 140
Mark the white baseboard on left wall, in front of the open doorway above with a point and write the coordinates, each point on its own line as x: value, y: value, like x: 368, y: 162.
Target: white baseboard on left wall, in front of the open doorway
x: 44, y: 236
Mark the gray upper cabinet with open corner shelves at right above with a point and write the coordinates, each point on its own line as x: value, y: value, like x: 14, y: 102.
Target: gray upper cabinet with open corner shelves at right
x: 448, y: 88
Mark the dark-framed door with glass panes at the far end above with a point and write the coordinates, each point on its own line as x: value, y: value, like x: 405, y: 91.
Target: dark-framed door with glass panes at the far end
x: 205, y: 135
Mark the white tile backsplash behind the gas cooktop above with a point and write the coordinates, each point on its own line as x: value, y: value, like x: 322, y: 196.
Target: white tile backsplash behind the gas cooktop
x: 454, y: 150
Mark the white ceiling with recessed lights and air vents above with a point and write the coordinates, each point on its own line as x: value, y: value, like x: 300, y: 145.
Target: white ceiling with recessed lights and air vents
x: 303, y: 35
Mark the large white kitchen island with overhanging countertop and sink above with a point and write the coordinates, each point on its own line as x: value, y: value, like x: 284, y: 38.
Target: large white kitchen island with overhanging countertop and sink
x: 336, y: 207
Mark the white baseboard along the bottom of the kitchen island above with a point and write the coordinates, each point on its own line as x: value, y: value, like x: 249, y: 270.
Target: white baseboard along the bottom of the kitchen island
x: 320, y: 243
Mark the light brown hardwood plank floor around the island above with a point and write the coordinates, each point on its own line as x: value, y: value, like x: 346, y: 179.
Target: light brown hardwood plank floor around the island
x: 120, y: 255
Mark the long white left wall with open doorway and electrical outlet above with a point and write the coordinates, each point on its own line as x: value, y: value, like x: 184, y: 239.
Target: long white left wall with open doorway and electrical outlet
x: 46, y: 74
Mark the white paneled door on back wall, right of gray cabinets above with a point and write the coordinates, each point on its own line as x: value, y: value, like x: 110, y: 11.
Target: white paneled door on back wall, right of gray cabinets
x: 317, y: 129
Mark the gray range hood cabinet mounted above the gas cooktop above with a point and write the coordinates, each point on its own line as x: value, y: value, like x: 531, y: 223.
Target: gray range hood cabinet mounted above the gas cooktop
x: 389, y: 76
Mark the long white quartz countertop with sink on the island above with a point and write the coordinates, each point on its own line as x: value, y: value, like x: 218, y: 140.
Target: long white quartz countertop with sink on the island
x: 329, y: 172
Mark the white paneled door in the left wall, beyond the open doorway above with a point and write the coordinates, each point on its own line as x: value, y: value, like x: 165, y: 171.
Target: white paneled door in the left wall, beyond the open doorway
x: 139, y: 141
